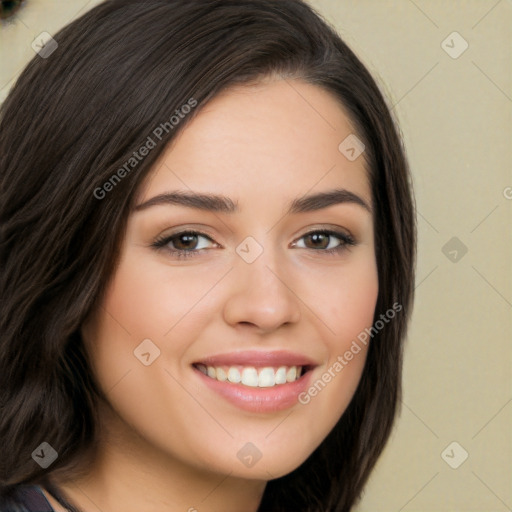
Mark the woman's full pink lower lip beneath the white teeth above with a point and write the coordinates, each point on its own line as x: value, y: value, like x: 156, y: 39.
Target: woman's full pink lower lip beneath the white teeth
x: 253, y: 399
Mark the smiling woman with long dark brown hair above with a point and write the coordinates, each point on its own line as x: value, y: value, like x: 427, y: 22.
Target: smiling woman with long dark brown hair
x: 207, y: 253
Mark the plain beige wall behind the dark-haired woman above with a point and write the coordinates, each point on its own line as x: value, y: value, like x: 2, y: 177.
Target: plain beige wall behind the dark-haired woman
x: 456, y: 117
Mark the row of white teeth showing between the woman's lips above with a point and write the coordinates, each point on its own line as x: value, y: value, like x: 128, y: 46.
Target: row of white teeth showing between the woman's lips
x: 252, y: 376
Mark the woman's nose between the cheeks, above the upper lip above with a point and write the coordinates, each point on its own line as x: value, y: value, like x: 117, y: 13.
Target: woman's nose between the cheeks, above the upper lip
x: 262, y: 294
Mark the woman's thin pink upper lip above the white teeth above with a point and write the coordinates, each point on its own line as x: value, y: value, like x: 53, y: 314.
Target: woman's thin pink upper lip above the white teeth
x: 258, y: 358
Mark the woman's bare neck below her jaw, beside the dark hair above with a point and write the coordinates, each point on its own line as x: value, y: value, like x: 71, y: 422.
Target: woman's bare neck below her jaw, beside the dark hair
x: 128, y: 474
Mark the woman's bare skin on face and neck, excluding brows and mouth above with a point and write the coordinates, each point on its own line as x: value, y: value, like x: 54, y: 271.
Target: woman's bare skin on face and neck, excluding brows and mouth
x: 163, y: 430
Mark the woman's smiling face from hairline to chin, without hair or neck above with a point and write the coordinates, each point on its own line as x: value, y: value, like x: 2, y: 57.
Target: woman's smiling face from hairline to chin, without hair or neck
x: 263, y: 291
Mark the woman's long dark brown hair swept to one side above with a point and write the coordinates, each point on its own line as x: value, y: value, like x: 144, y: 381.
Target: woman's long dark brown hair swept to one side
x: 73, y: 119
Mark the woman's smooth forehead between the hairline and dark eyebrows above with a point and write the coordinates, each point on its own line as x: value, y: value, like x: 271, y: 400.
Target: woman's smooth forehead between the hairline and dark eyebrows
x: 262, y: 143
